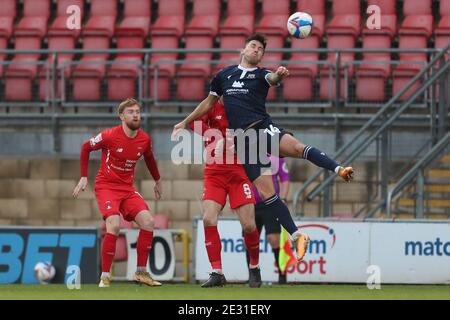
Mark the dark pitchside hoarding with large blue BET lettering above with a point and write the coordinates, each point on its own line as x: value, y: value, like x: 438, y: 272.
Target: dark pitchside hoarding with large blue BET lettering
x: 22, y: 247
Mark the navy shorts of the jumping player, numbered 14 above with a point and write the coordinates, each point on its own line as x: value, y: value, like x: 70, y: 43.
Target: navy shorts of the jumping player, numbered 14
x: 253, y: 152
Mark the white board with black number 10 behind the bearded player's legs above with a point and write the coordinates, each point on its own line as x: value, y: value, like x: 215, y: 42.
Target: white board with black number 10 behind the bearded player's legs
x: 161, y: 264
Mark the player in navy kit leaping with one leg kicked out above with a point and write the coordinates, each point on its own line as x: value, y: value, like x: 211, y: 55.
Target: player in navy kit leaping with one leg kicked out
x: 244, y: 89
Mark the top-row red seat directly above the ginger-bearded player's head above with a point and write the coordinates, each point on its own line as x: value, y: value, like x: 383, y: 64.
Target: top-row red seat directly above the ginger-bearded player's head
x: 137, y: 16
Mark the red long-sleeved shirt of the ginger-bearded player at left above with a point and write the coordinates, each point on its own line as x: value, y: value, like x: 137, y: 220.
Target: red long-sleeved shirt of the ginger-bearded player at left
x: 120, y: 154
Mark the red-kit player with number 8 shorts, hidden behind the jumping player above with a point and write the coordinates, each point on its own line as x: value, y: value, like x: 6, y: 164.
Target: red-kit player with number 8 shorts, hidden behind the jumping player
x: 222, y: 179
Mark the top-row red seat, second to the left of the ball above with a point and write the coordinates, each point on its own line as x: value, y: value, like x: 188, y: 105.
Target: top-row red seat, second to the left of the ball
x: 240, y: 19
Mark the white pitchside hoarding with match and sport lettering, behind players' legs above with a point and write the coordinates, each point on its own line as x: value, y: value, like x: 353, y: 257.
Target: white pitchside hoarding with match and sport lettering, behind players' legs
x: 342, y: 252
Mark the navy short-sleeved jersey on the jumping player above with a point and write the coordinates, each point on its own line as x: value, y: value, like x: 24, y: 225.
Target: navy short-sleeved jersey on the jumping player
x: 244, y: 92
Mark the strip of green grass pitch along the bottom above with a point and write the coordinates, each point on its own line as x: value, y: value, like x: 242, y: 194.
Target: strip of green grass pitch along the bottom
x: 230, y: 292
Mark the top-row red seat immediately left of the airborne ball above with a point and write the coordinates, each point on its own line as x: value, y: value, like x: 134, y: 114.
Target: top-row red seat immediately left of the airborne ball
x: 274, y: 17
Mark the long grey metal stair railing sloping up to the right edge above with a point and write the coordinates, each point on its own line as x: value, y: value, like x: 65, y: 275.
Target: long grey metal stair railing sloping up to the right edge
x: 382, y: 120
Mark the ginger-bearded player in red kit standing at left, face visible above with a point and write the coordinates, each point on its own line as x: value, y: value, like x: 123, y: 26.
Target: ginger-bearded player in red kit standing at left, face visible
x: 122, y: 146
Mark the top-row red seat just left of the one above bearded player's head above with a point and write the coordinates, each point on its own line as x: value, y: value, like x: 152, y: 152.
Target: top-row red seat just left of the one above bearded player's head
x: 102, y: 19
